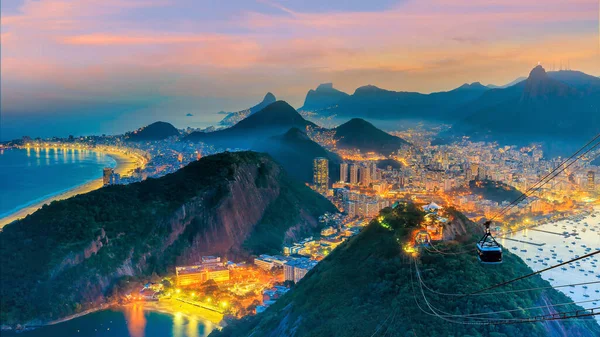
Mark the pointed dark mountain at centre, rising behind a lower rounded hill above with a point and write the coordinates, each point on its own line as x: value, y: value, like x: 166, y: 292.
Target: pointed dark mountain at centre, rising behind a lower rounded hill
x: 274, y: 119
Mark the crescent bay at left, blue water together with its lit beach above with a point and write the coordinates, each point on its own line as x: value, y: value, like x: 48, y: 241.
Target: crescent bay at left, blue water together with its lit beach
x: 32, y: 177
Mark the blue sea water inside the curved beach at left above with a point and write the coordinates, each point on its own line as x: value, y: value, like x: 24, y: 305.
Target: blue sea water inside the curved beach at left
x: 29, y: 176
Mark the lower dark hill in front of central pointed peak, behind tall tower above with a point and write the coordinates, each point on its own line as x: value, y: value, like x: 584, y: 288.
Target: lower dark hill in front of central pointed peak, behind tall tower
x: 295, y: 151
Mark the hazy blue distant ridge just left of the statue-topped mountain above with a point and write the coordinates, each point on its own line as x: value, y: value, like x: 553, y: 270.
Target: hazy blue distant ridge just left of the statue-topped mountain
x: 373, y: 102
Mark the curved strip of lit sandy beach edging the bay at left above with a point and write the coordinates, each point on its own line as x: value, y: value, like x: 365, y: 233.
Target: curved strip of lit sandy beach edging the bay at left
x: 124, y: 164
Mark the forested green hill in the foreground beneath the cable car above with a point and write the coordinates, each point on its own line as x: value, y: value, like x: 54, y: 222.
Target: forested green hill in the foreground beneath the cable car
x: 368, y: 287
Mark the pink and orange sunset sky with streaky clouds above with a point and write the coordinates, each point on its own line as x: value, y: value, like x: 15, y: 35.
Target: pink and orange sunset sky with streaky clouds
x: 107, y: 66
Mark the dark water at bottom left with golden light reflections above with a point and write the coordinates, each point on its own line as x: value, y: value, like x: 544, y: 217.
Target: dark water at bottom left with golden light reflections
x: 131, y: 321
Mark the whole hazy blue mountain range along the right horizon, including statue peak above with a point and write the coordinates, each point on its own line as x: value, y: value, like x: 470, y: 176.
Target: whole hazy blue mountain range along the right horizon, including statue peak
x: 558, y: 108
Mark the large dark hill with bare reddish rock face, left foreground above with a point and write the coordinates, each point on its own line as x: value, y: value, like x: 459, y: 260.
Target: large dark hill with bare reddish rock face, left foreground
x: 58, y: 260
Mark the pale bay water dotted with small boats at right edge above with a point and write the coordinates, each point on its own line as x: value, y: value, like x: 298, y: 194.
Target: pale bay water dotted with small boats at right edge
x: 564, y: 249
